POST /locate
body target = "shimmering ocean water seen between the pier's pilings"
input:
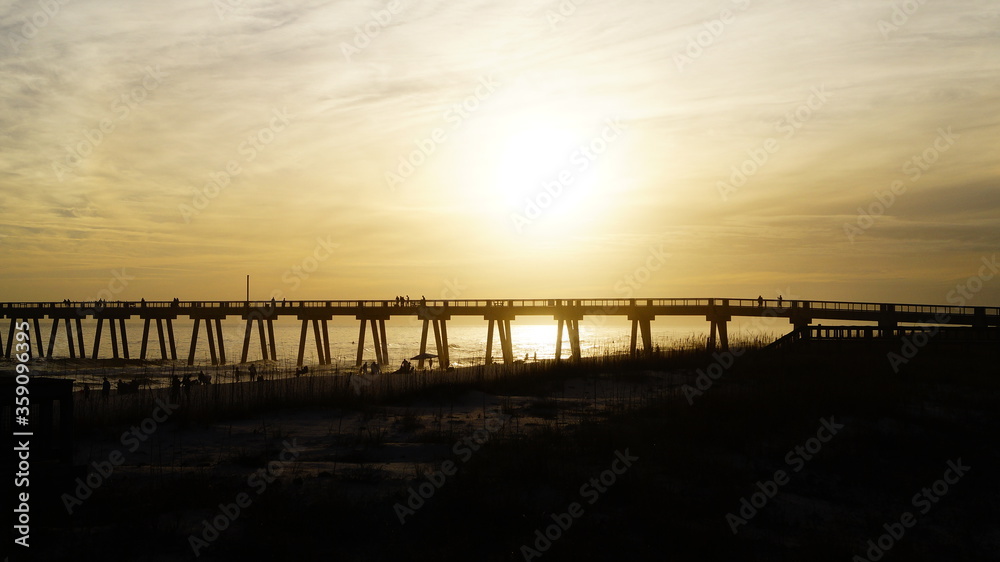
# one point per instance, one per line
(467, 342)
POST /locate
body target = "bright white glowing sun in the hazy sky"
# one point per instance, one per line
(533, 175)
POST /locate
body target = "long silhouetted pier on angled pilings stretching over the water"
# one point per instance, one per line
(885, 319)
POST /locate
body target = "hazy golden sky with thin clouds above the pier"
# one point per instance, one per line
(500, 149)
